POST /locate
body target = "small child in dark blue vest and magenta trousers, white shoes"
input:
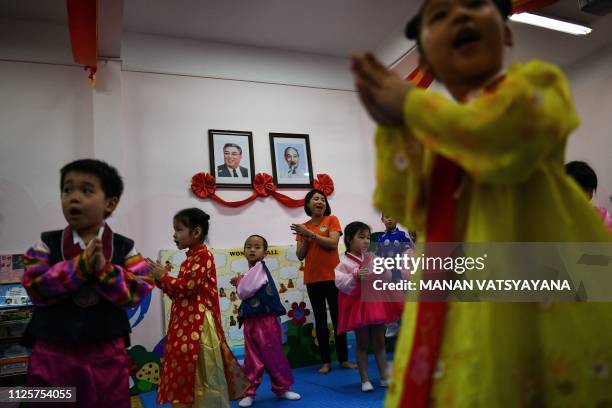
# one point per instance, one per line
(259, 311)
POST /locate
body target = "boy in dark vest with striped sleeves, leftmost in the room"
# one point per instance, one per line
(80, 280)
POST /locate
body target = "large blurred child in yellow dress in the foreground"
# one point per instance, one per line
(486, 167)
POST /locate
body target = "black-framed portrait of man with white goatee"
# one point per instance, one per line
(291, 160)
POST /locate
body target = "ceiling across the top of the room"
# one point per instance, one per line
(327, 27)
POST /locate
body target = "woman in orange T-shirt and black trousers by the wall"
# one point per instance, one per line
(317, 244)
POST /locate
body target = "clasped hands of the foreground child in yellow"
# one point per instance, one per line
(381, 91)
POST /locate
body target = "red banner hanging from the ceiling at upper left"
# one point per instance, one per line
(83, 26)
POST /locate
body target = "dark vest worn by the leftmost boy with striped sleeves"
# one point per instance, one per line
(66, 321)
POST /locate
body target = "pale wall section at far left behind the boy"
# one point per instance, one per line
(45, 111)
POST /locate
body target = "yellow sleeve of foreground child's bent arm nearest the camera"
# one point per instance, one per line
(502, 136)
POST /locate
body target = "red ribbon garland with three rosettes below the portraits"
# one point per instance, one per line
(203, 185)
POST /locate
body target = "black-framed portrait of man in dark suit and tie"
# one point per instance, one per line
(231, 158)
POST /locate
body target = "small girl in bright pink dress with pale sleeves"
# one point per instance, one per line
(367, 319)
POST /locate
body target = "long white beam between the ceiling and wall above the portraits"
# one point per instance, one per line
(154, 53)
